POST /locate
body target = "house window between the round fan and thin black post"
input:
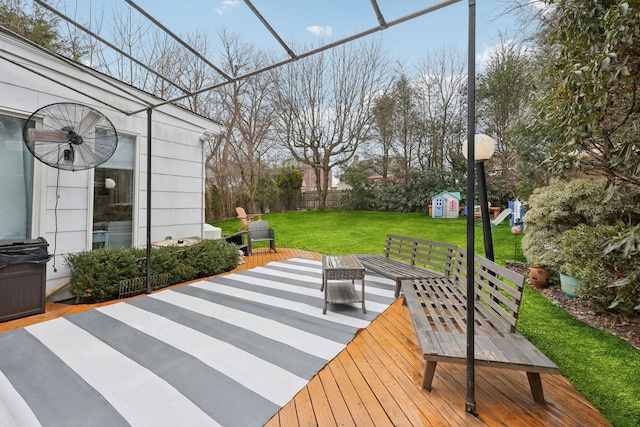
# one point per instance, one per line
(113, 197)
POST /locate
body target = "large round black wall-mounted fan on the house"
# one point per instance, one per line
(72, 137)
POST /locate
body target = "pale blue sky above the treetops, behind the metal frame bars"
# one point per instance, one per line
(309, 22)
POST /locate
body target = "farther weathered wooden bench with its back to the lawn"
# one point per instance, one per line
(407, 258)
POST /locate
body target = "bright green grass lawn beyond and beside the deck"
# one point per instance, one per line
(605, 369)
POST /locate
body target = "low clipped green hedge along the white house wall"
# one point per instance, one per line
(96, 275)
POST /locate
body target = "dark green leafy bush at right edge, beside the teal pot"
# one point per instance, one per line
(609, 278)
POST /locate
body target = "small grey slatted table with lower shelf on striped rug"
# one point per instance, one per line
(342, 271)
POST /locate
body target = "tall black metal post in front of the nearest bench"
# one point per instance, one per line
(470, 404)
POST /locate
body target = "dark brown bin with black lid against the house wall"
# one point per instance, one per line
(23, 277)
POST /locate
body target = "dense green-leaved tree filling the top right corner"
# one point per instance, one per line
(593, 100)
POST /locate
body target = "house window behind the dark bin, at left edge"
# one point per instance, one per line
(16, 180)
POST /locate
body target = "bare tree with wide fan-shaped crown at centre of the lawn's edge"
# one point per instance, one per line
(325, 106)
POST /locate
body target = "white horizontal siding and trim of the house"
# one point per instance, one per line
(177, 156)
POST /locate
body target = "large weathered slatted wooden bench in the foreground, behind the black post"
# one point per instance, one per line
(438, 309)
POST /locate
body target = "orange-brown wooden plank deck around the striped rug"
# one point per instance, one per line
(376, 381)
